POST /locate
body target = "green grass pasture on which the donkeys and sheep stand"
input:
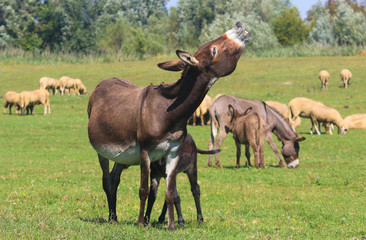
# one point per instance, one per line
(51, 182)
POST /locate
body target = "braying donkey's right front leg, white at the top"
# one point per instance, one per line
(171, 164)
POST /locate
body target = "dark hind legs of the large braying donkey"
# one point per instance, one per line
(110, 185)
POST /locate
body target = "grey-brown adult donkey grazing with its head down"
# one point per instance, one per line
(274, 123)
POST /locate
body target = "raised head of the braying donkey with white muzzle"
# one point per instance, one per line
(219, 56)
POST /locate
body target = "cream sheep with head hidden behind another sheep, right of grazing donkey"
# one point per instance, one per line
(300, 107)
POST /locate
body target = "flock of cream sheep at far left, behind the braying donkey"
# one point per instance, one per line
(25, 101)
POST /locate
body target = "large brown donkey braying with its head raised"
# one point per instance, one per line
(133, 125)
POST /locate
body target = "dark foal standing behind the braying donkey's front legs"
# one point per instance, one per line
(188, 164)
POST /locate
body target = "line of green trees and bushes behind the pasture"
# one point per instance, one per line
(139, 28)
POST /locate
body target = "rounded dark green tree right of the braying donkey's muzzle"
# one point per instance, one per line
(289, 28)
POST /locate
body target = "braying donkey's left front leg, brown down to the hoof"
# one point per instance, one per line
(144, 183)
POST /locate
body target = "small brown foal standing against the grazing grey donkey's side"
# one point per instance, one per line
(248, 129)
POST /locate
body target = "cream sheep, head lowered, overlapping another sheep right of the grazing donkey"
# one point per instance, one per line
(328, 115)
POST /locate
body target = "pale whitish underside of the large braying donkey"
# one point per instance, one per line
(130, 155)
